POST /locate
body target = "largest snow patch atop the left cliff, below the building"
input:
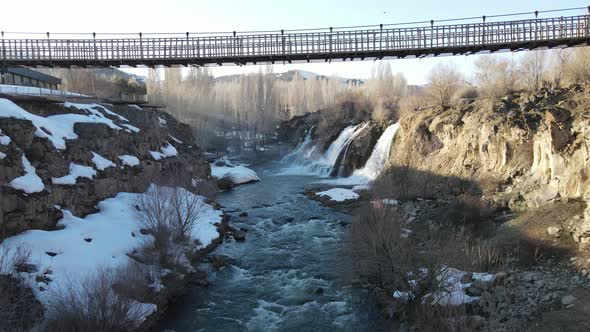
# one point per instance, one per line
(56, 128)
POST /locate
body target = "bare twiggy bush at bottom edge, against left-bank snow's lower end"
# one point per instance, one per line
(94, 305)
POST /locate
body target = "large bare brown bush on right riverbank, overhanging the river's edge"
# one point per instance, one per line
(385, 258)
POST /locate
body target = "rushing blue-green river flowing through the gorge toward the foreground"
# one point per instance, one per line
(292, 273)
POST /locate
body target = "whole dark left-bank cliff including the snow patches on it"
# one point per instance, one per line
(73, 155)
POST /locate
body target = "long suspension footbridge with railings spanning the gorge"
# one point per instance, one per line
(377, 42)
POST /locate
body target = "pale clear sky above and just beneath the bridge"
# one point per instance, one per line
(241, 15)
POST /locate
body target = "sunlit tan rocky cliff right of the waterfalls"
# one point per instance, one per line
(525, 151)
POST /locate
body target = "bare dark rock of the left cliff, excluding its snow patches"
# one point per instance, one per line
(20, 211)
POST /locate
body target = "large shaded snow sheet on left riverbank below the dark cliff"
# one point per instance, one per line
(113, 233)
